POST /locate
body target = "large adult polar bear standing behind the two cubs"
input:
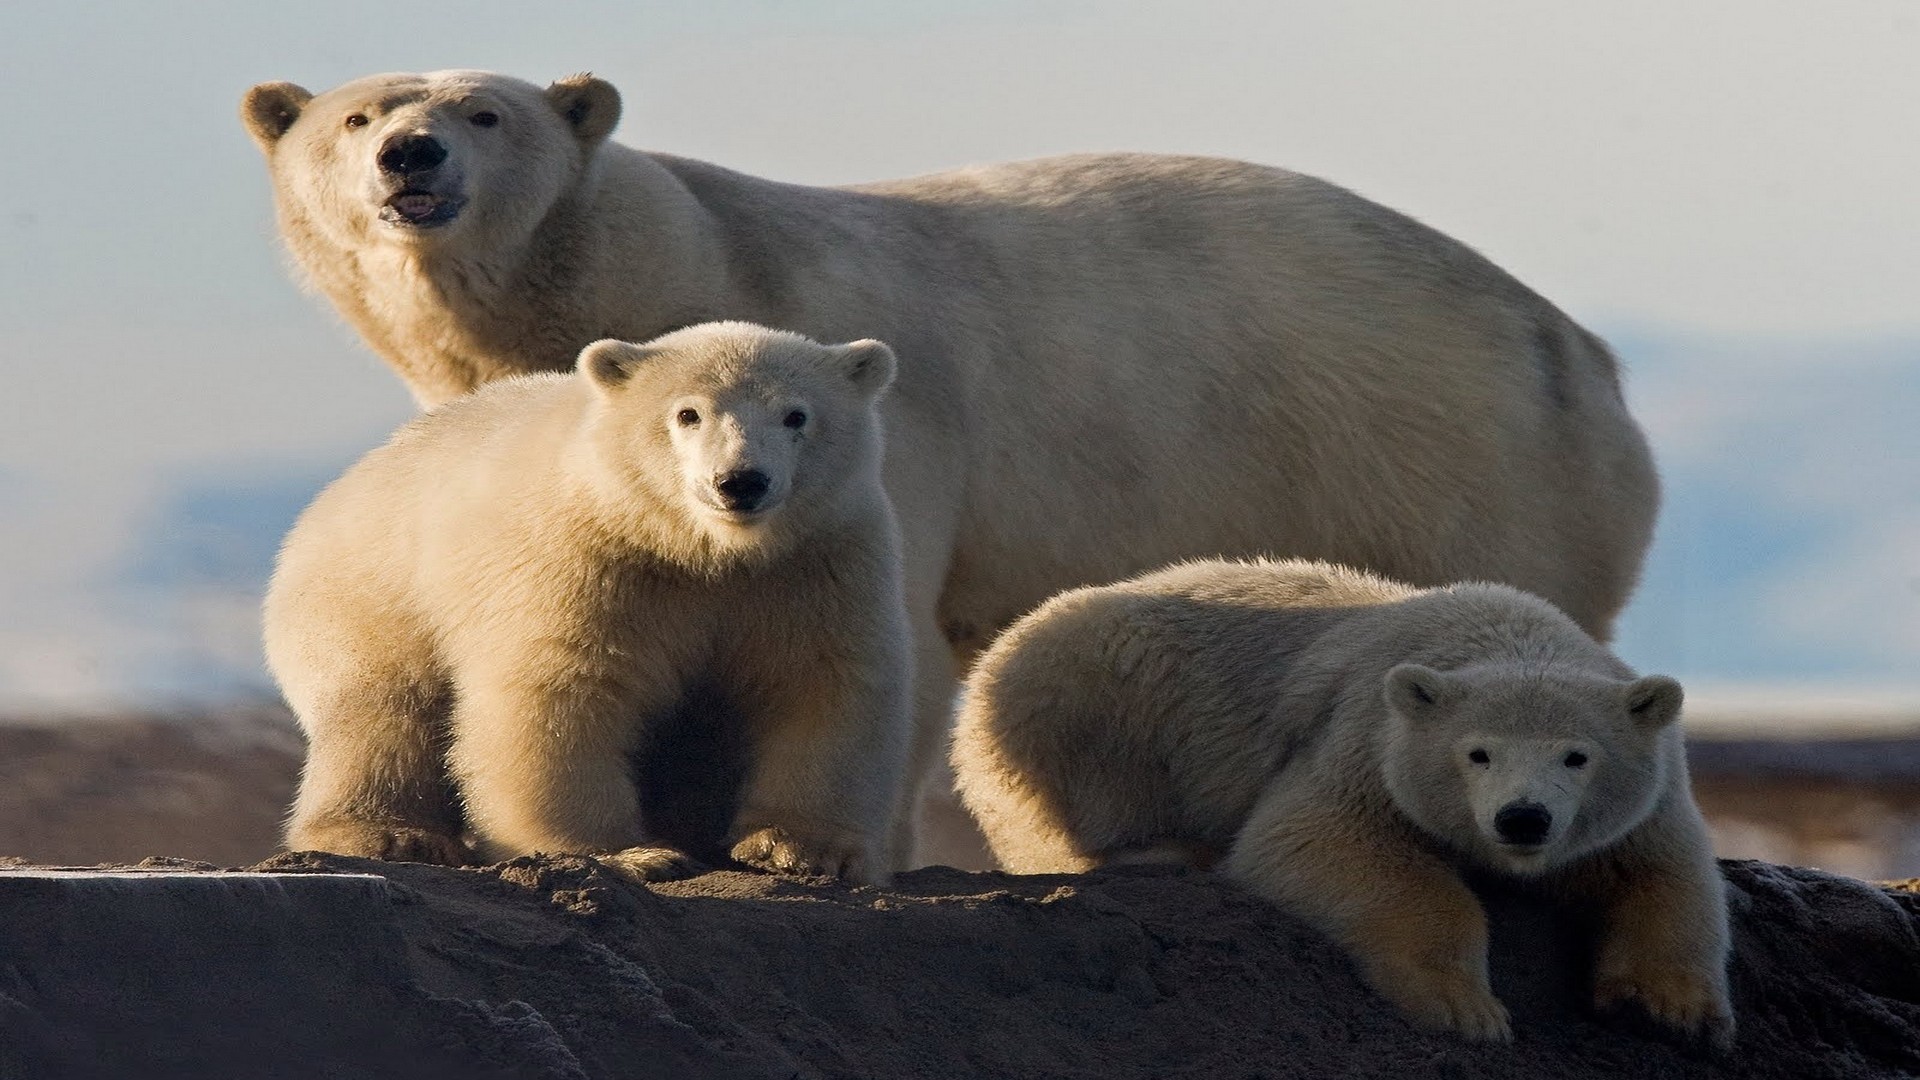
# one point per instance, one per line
(1107, 362)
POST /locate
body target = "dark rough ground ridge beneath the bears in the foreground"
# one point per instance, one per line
(556, 968)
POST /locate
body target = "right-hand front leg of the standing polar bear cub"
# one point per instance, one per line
(828, 712)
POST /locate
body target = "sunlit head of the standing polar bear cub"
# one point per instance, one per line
(742, 435)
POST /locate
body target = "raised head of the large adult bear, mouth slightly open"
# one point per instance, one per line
(425, 160)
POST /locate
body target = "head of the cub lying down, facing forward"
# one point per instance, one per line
(1525, 768)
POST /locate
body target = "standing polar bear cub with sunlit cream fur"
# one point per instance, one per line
(535, 593)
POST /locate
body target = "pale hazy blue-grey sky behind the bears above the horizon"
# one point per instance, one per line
(1723, 187)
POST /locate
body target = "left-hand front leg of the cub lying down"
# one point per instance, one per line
(1403, 914)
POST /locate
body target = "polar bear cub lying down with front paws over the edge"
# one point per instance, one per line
(1343, 745)
